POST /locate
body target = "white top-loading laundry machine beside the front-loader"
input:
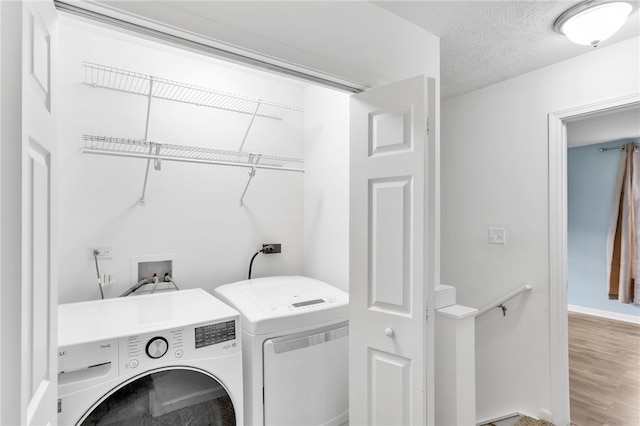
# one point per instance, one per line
(295, 350)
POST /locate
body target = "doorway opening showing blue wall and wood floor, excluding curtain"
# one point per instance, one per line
(601, 345)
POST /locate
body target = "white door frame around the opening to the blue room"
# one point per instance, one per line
(558, 256)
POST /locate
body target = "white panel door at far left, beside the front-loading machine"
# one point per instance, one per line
(28, 220)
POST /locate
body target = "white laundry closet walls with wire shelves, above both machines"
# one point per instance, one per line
(192, 205)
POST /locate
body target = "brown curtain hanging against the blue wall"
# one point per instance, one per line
(623, 242)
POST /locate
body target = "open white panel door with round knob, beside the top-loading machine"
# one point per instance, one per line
(392, 237)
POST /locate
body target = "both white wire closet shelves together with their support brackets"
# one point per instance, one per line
(151, 87)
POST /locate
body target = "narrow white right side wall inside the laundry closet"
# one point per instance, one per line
(326, 186)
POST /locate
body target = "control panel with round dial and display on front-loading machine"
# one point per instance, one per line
(141, 351)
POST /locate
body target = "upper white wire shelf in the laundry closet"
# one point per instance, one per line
(107, 77)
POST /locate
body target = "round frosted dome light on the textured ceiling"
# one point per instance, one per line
(593, 21)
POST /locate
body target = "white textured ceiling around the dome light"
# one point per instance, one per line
(484, 42)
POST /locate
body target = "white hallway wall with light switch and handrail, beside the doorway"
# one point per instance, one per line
(495, 173)
